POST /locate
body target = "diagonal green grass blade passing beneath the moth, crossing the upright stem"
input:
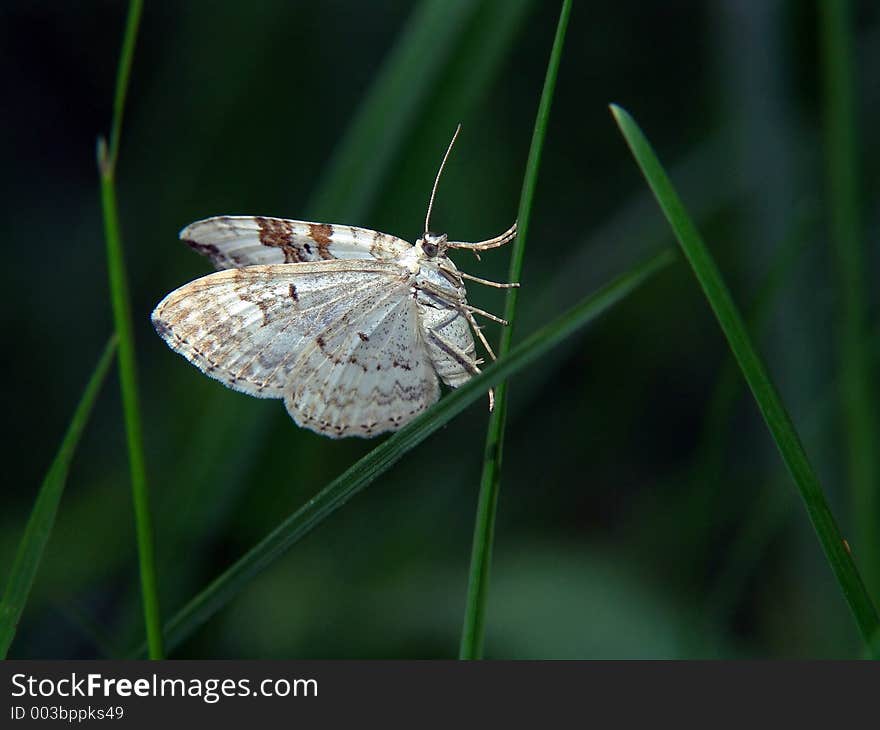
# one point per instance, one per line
(376, 462)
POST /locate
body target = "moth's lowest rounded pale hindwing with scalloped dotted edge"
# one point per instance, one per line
(367, 375)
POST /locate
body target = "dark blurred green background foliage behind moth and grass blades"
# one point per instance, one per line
(614, 539)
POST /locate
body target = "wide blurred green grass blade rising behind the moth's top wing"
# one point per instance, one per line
(354, 175)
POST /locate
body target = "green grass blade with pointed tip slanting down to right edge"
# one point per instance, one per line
(766, 396)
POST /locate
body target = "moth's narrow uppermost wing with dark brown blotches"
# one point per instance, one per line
(232, 242)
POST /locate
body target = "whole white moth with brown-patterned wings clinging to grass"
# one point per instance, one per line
(350, 327)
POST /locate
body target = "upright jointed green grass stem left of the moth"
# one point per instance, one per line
(120, 300)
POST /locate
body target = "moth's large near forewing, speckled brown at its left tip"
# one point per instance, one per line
(249, 327)
